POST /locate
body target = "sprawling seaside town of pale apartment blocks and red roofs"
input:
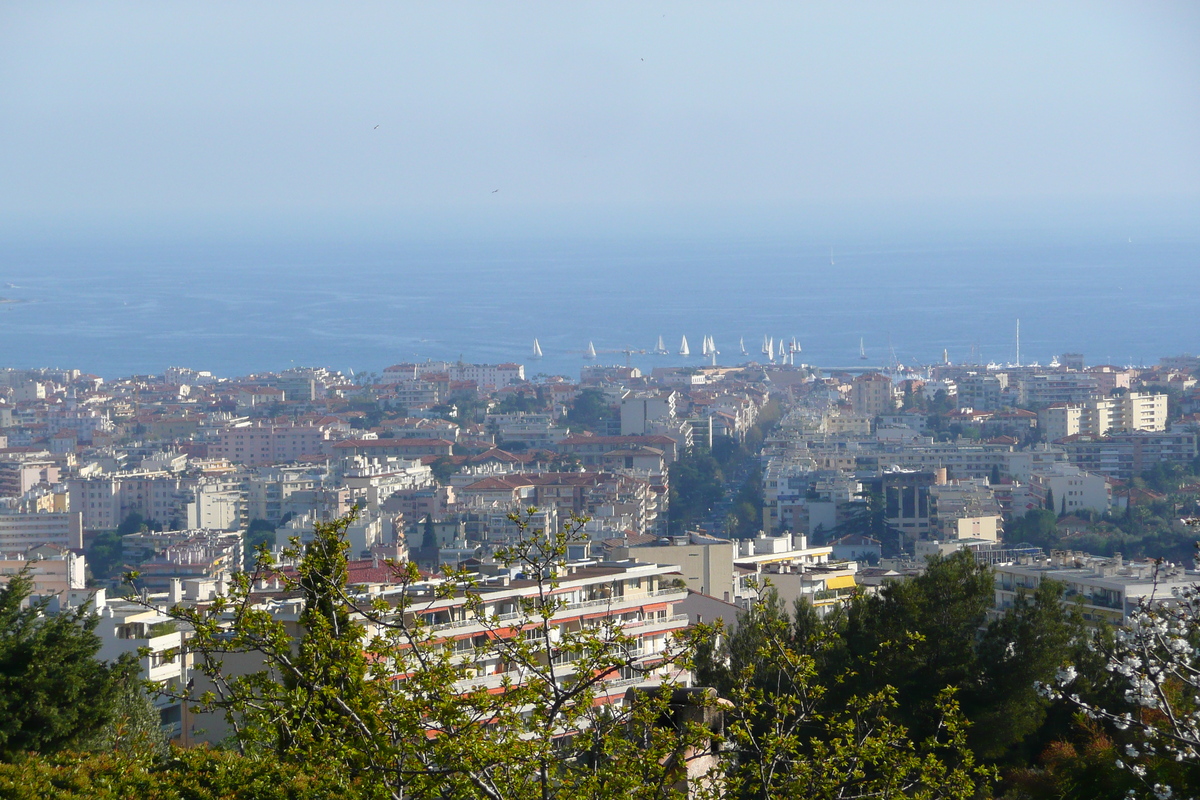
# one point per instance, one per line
(687, 489)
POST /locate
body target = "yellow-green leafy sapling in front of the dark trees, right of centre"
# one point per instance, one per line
(785, 739)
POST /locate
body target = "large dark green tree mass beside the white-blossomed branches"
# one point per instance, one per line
(927, 659)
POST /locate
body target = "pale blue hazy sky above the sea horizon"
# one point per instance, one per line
(163, 112)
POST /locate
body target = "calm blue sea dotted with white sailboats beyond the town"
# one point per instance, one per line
(237, 308)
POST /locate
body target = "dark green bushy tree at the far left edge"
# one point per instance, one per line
(55, 694)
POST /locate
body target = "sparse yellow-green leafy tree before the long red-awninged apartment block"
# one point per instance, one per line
(333, 695)
